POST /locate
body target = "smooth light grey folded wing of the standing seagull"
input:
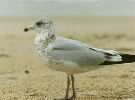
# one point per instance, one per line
(78, 52)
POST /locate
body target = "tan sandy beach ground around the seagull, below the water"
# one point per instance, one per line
(24, 77)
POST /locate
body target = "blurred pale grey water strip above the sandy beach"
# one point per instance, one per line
(64, 8)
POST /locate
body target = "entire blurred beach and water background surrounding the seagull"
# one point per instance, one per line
(106, 24)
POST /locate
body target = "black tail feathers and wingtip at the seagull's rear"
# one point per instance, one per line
(126, 58)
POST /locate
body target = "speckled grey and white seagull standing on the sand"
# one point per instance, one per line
(71, 56)
